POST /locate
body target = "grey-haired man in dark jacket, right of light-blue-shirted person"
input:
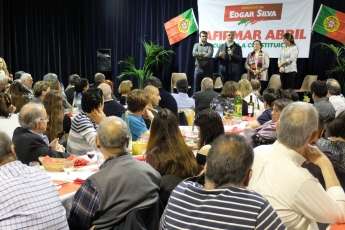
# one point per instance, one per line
(204, 97)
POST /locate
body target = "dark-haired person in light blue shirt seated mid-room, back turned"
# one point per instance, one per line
(182, 99)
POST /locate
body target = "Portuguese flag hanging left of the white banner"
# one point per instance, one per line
(181, 26)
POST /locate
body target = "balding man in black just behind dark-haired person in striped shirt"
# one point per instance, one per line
(111, 106)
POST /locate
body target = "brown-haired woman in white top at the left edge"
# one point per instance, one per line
(8, 119)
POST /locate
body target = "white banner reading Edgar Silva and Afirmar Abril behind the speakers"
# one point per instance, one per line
(264, 20)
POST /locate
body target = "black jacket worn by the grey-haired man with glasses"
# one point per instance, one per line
(29, 146)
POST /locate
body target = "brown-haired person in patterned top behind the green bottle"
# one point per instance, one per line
(225, 101)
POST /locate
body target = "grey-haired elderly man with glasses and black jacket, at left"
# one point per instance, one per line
(29, 140)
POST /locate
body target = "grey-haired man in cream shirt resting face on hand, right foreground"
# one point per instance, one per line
(297, 196)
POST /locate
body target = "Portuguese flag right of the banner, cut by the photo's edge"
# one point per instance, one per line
(331, 23)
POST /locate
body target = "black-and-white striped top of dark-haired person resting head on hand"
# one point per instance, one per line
(82, 136)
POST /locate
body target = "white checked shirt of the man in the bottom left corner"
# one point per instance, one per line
(28, 199)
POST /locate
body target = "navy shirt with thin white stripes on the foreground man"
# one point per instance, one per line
(192, 207)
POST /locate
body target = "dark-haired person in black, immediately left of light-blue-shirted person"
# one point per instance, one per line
(167, 100)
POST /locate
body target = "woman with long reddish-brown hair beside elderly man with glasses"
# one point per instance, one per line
(53, 103)
